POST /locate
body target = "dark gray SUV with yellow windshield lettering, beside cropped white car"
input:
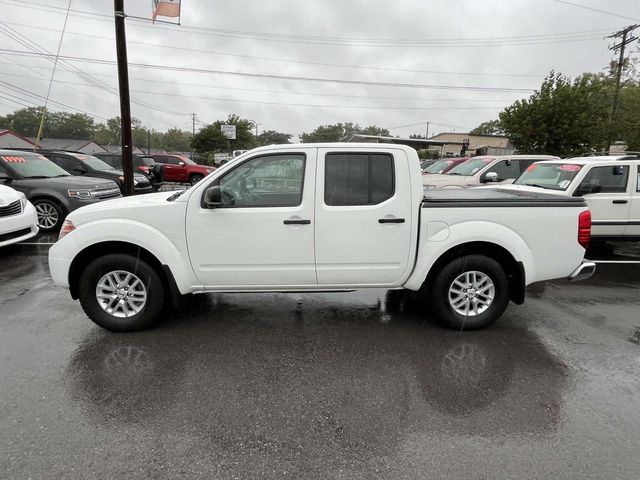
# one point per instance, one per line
(52, 190)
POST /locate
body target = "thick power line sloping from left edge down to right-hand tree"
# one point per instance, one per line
(285, 77)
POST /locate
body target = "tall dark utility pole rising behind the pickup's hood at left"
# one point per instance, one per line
(125, 104)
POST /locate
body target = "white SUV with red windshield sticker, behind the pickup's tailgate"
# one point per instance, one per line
(609, 184)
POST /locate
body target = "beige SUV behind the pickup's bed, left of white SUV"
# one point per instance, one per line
(483, 170)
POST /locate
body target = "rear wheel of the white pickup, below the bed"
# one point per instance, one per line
(470, 293)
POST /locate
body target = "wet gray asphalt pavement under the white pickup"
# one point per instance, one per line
(353, 385)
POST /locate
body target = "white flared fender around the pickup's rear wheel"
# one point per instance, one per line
(436, 238)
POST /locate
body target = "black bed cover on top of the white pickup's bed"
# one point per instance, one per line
(491, 197)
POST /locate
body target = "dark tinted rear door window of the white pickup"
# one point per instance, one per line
(358, 178)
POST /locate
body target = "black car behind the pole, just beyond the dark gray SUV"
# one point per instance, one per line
(81, 164)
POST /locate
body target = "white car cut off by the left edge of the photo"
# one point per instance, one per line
(18, 219)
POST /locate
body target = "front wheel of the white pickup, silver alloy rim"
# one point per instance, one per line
(121, 293)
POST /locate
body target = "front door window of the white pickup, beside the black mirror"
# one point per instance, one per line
(267, 181)
